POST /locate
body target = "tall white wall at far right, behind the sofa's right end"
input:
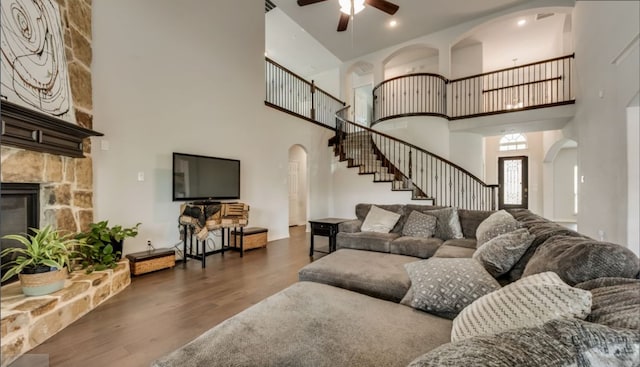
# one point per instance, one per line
(607, 78)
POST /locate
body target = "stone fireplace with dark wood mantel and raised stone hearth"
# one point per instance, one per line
(54, 156)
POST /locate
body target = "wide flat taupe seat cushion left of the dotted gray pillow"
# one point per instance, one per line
(371, 273)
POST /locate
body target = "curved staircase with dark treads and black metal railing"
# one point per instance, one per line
(409, 168)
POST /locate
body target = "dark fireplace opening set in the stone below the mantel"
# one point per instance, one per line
(19, 211)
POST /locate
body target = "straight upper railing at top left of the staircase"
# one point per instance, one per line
(291, 93)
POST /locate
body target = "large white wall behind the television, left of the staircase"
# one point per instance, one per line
(169, 77)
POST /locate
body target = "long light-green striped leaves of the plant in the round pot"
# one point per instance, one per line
(45, 250)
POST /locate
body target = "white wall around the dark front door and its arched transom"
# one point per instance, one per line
(535, 157)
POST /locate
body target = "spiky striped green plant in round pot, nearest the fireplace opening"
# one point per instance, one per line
(42, 263)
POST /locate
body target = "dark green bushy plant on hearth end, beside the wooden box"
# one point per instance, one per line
(104, 245)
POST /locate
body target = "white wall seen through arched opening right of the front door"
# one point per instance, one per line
(563, 197)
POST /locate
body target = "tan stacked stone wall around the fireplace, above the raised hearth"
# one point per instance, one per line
(66, 199)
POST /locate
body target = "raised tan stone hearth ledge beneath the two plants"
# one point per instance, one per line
(26, 322)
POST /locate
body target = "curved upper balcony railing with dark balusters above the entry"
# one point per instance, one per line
(541, 84)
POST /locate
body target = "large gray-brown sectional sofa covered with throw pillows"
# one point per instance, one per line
(362, 305)
